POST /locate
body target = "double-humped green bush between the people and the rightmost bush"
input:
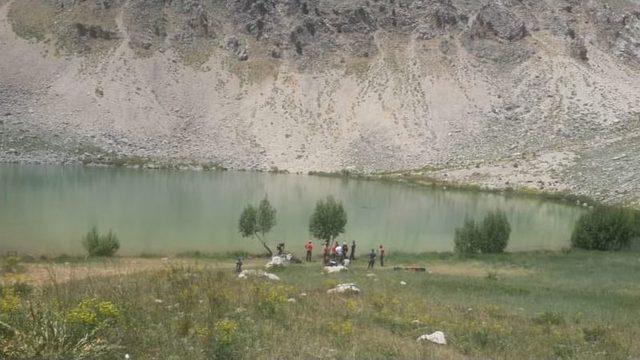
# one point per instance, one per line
(488, 237)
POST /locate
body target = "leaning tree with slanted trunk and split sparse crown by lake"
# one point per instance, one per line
(257, 222)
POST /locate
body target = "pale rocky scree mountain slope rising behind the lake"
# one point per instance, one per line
(540, 94)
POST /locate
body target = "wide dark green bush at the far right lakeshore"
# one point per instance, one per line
(604, 228)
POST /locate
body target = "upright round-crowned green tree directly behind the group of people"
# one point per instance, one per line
(328, 219)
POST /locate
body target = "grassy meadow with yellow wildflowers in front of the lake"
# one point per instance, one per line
(547, 305)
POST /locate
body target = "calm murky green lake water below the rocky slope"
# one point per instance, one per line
(47, 209)
